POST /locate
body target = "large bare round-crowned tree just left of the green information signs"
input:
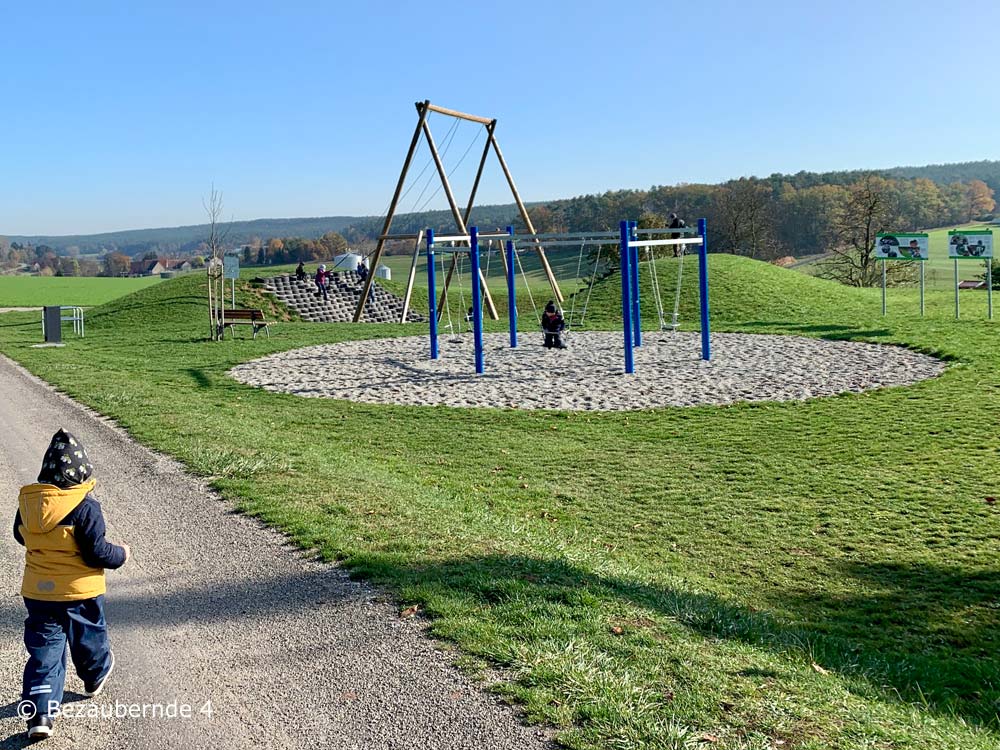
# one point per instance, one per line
(867, 210)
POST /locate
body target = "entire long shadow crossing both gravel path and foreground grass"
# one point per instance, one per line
(916, 640)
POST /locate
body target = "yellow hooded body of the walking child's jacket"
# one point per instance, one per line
(54, 568)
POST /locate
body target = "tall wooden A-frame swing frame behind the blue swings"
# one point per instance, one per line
(424, 108)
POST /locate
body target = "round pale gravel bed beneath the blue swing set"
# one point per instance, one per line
(589, 374)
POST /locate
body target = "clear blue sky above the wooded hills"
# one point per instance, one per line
(122, 115)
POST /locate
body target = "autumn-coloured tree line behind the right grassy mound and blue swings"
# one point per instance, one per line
(770, 218)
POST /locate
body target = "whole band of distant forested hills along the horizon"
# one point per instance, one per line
(793, 214)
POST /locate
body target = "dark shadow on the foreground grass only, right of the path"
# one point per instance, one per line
(916, 640)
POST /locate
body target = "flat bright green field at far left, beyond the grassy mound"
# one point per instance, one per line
(37, 291)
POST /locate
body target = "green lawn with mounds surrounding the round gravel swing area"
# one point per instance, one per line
(805, 575)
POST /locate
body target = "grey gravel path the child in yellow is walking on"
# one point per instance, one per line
(215, 607)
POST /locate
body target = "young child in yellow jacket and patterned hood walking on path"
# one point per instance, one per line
(62, 529)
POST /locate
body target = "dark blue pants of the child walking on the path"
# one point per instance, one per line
(50, 629)
